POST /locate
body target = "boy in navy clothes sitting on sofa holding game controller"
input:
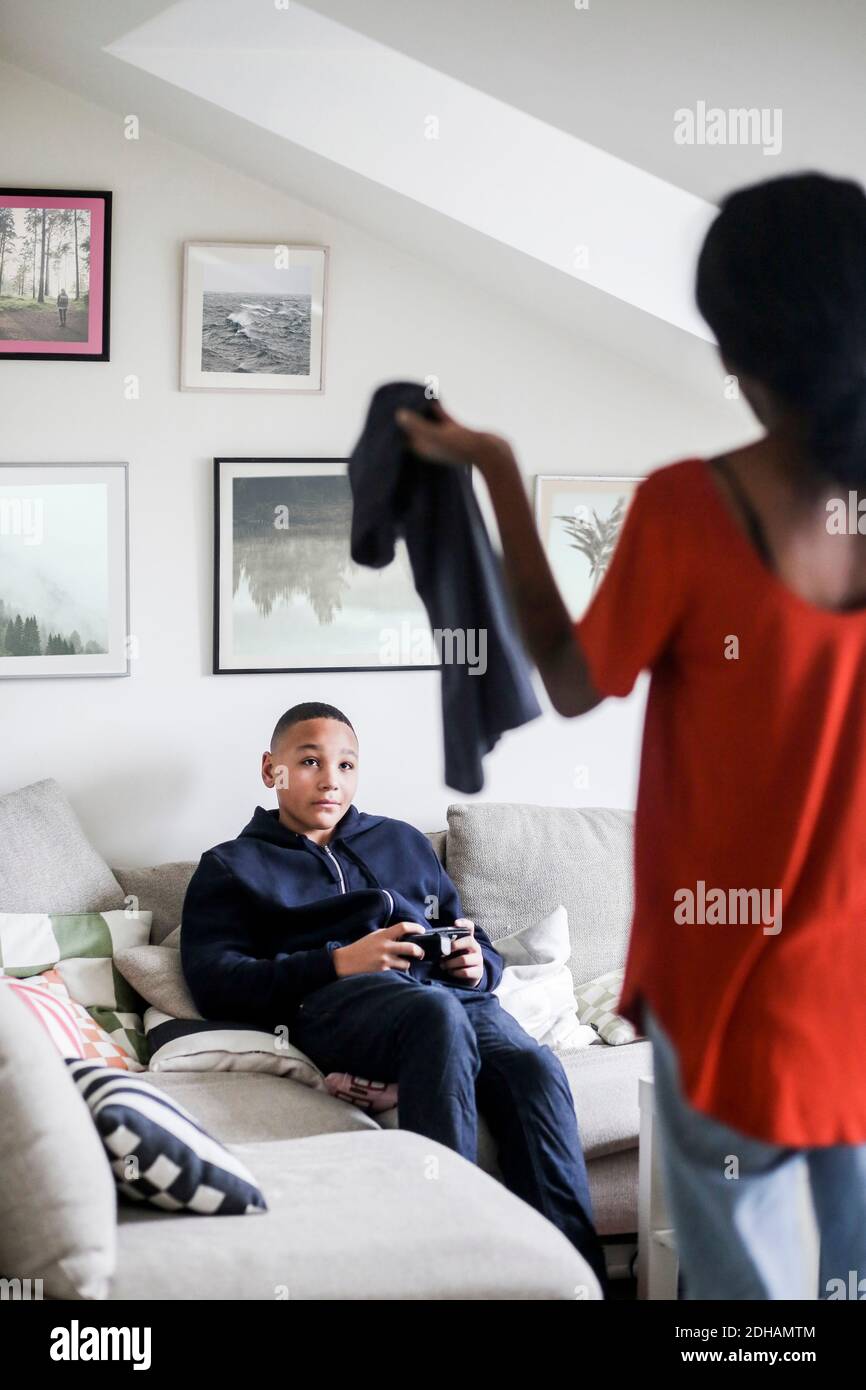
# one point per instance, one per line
(311, 919)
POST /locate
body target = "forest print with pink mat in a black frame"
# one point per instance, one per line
(55, 275)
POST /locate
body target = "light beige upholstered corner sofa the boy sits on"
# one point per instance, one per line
(358, 1209)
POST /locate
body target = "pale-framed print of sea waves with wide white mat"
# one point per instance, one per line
(254, 318)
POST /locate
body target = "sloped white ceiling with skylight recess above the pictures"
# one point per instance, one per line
(526, 144)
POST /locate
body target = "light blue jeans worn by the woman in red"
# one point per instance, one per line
(739, 1238)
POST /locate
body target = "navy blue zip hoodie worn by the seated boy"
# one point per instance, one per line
(263, 913)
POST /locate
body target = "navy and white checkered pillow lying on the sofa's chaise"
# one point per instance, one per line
(158, 1150)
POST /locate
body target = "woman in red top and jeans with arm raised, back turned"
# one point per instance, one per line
(740, 584)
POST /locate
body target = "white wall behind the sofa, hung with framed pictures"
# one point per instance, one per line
(166, 764)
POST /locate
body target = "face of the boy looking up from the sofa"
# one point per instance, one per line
(313, 771)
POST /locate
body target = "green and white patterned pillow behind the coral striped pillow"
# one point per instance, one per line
(81, 949)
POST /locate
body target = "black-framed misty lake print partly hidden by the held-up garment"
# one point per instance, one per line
(288, 597)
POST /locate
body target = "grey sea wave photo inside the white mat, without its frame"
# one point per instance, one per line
(261, 333)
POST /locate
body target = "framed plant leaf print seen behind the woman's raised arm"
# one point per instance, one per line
(579, 522)
